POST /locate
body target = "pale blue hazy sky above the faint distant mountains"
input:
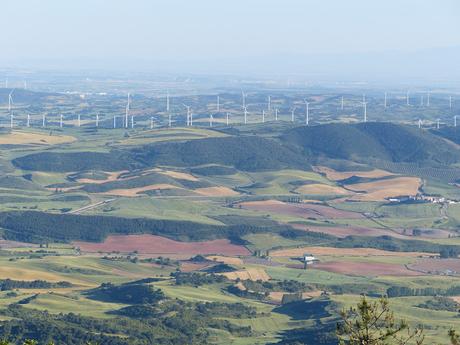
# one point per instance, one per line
(116, 30)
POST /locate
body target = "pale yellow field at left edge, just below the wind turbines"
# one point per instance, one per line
(24, 138)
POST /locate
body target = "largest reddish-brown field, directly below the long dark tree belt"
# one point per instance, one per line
(157, 245)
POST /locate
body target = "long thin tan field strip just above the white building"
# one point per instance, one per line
(331, 251)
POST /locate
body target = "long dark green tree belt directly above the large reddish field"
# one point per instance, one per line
(40, 227)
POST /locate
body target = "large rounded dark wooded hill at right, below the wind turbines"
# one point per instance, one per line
(373, 140)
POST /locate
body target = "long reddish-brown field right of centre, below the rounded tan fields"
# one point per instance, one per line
(300, 210)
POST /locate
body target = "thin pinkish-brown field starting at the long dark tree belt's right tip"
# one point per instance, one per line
(344, 231)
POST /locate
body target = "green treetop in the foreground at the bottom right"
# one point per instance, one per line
(373, 323)
